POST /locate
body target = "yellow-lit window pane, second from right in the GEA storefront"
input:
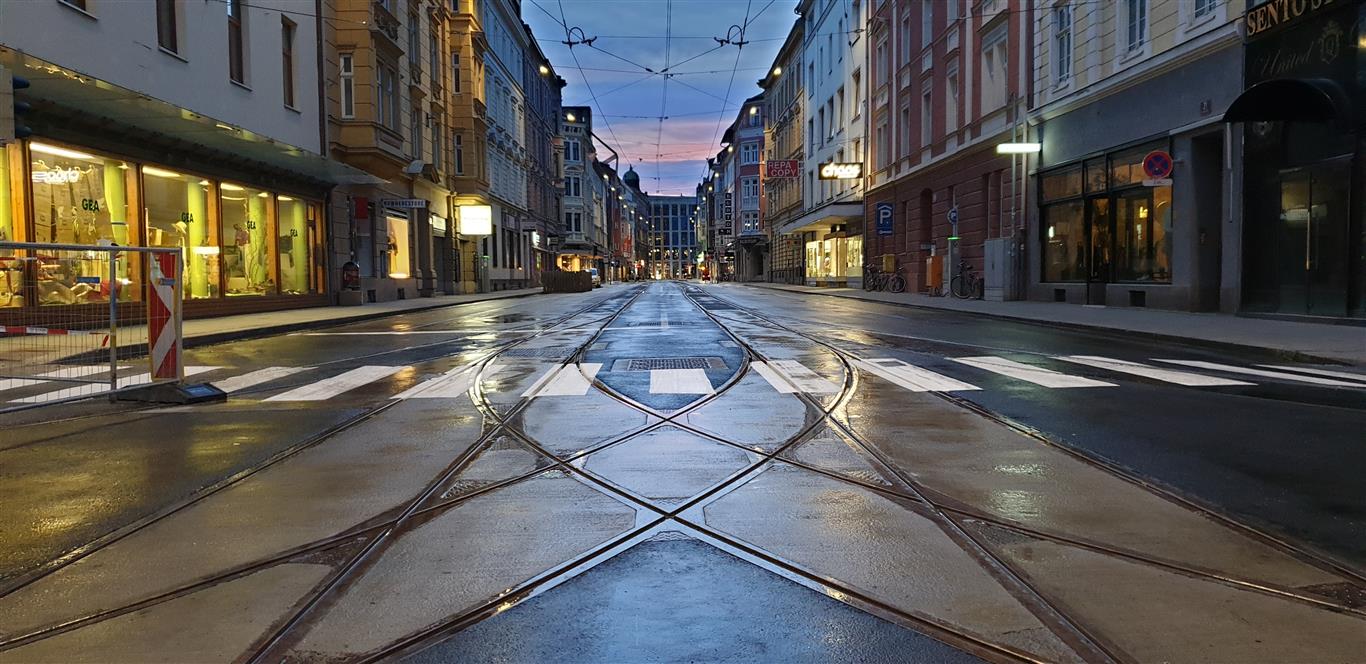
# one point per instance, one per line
(248, 247)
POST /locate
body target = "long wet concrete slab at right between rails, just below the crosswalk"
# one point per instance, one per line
(987, 467)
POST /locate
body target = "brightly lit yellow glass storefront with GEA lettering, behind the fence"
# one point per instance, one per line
(236, 240)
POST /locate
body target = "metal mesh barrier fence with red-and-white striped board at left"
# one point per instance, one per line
(79, 322)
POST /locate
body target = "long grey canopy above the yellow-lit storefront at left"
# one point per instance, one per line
(79, 95)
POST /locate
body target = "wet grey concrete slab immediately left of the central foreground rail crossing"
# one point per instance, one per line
(462, 558)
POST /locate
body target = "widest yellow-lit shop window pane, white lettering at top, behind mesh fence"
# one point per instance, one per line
(80, 199)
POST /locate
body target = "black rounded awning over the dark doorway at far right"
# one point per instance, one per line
(1292, 99)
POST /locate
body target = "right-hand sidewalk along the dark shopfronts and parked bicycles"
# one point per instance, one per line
(1298, 341)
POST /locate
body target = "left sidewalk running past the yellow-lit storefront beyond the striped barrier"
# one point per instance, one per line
(226, 329)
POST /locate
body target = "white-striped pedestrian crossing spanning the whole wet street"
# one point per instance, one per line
(785, 376)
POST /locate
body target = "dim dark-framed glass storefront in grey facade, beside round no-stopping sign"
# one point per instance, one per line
(1102, 225)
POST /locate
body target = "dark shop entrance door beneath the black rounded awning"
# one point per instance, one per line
(1315, 245)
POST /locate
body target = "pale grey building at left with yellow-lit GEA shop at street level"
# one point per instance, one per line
(169, 125)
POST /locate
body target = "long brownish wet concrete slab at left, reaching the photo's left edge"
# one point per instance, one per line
(327, 490)
